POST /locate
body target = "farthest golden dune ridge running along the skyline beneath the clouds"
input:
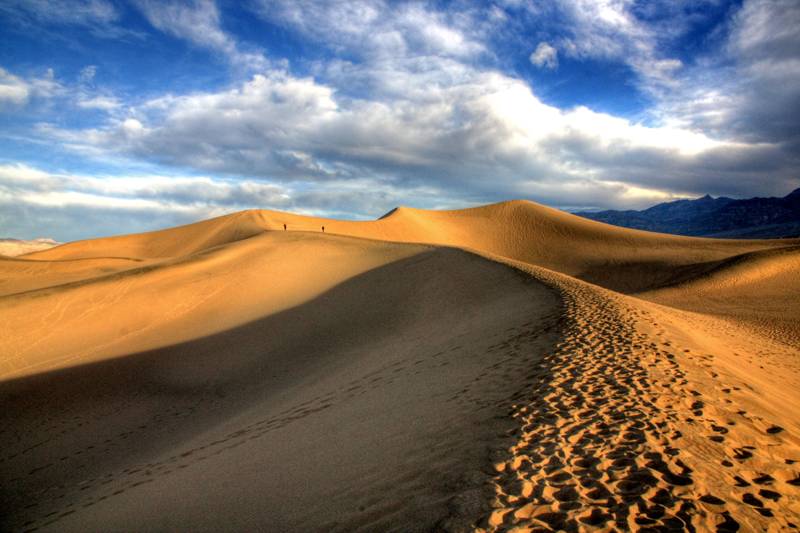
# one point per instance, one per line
(618, 258)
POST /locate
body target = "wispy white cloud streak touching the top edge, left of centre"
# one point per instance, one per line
(199, 23)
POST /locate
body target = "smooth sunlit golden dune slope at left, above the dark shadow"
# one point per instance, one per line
(175, 300)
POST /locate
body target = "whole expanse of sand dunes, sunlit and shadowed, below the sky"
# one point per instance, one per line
(502, 368)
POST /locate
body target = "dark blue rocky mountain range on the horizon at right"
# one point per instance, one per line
(714, 217)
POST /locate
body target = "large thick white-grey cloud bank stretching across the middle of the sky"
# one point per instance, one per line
(484, 136)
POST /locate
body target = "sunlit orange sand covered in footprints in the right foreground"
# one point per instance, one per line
(643, 417)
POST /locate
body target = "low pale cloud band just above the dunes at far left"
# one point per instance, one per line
(68, 205)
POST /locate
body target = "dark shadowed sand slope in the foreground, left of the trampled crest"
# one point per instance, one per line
(370, 406)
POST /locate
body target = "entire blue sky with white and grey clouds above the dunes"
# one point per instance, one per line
(125, 116)
